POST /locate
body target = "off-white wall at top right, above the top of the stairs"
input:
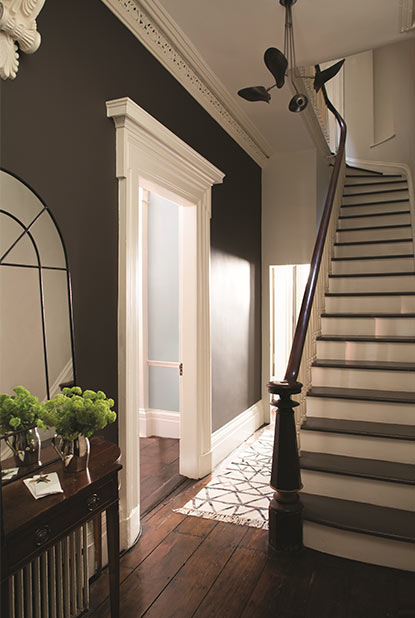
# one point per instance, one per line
(380, 103)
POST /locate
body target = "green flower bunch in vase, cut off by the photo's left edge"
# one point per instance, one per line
(19, 411)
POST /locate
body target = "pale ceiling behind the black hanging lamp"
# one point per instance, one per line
(231, 37)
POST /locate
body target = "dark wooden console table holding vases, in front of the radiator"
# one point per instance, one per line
(32, 526)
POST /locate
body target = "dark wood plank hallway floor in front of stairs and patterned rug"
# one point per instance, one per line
(187, 566)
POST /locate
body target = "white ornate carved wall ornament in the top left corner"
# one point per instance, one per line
(18, 30)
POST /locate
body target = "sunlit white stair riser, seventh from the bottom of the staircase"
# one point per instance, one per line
(385, 327)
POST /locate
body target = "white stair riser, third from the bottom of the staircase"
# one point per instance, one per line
(366, 447)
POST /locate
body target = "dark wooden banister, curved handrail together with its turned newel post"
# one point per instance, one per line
(285, 510)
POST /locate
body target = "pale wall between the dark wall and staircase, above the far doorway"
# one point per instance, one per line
(294, 185)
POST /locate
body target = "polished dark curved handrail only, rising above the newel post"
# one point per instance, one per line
(296, 354)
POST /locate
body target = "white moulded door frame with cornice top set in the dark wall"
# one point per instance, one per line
(147, 150)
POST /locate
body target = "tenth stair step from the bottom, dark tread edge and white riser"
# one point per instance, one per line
(379, 264)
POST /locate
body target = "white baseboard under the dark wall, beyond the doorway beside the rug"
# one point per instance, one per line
(231, 435)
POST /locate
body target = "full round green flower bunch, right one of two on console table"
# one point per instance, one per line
(74, 412)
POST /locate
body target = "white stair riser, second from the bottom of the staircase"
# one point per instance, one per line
(357, 489)
